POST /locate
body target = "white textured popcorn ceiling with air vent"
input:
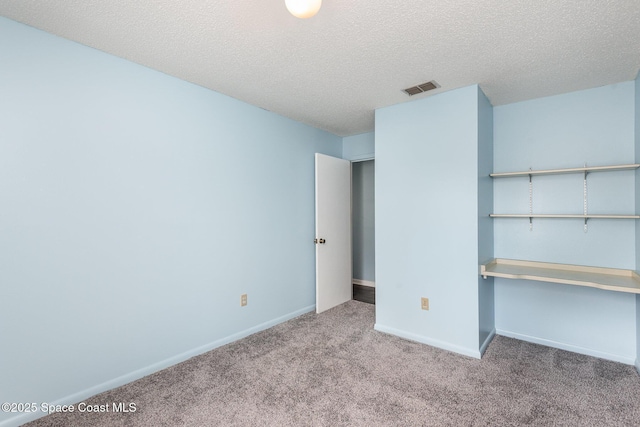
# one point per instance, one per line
(333, 70)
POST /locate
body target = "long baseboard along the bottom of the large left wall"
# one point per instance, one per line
(155, 367)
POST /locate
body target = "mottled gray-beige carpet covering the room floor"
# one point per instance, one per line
(333, 369)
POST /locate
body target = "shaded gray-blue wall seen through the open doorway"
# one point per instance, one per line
(363, 223)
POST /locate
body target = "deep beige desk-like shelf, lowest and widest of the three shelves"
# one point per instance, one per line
(610, 279)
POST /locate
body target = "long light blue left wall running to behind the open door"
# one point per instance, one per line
(136, 209)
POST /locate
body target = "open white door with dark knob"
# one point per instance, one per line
(333, 232)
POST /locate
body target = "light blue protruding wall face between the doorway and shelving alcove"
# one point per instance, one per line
(427, 220)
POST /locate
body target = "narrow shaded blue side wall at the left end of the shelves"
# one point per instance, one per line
(485, 223)
